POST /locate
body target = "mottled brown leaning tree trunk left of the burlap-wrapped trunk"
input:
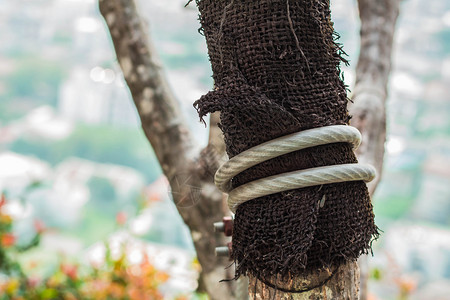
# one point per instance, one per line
(189, 169)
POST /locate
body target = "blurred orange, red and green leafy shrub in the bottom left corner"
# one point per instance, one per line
(115, 278)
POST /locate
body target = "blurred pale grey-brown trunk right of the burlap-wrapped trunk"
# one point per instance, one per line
(378, 19)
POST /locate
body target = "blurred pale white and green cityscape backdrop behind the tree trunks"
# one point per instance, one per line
(82, 188)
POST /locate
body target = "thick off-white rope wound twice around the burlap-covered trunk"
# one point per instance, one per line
(291, 180)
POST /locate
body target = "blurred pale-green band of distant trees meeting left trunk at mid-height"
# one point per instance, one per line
(103, 144)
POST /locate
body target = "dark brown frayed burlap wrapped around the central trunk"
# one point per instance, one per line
(276, 70)
